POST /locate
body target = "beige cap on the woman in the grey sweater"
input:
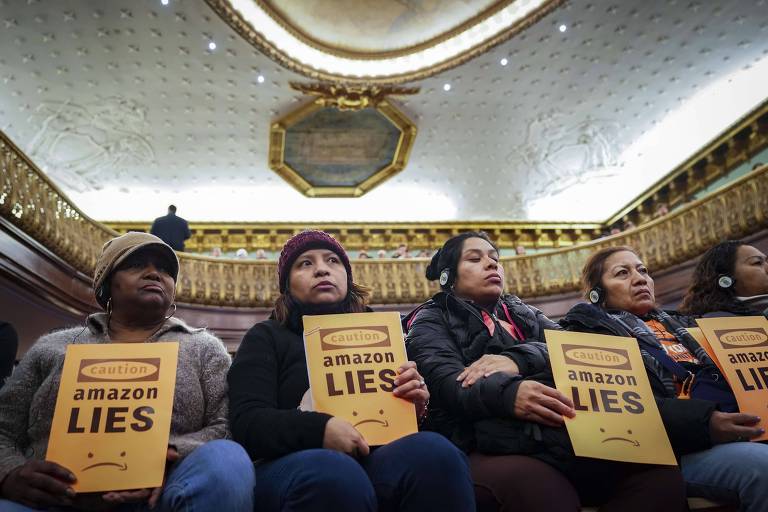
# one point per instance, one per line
(118, 249)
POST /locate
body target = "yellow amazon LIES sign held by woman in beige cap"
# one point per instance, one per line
(113, 414)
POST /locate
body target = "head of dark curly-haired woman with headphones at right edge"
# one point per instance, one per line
(731, 279)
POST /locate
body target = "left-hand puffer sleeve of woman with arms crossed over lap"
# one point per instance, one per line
(440, 361)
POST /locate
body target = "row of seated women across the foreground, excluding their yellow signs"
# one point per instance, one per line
(492, 433)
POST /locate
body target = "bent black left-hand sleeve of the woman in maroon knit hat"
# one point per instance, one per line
(256, 421)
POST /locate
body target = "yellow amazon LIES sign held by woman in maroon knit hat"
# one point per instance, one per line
(352, 361)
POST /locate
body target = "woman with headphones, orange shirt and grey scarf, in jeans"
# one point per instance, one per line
(715, 460)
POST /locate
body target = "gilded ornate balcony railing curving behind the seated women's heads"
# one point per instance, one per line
(32, 203)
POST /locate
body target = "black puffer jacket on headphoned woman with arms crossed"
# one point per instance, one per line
(447, 334)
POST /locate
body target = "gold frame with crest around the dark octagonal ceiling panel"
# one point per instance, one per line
(350, 98)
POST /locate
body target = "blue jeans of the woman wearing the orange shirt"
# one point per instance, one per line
(731, 473)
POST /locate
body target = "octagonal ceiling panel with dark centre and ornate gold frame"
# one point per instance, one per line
(344, 143)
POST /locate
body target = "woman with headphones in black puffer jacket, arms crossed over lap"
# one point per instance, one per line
(483, 356)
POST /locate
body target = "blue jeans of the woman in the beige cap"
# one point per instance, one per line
(216, 476)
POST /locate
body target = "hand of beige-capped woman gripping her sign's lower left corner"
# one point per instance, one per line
(39, 484)
